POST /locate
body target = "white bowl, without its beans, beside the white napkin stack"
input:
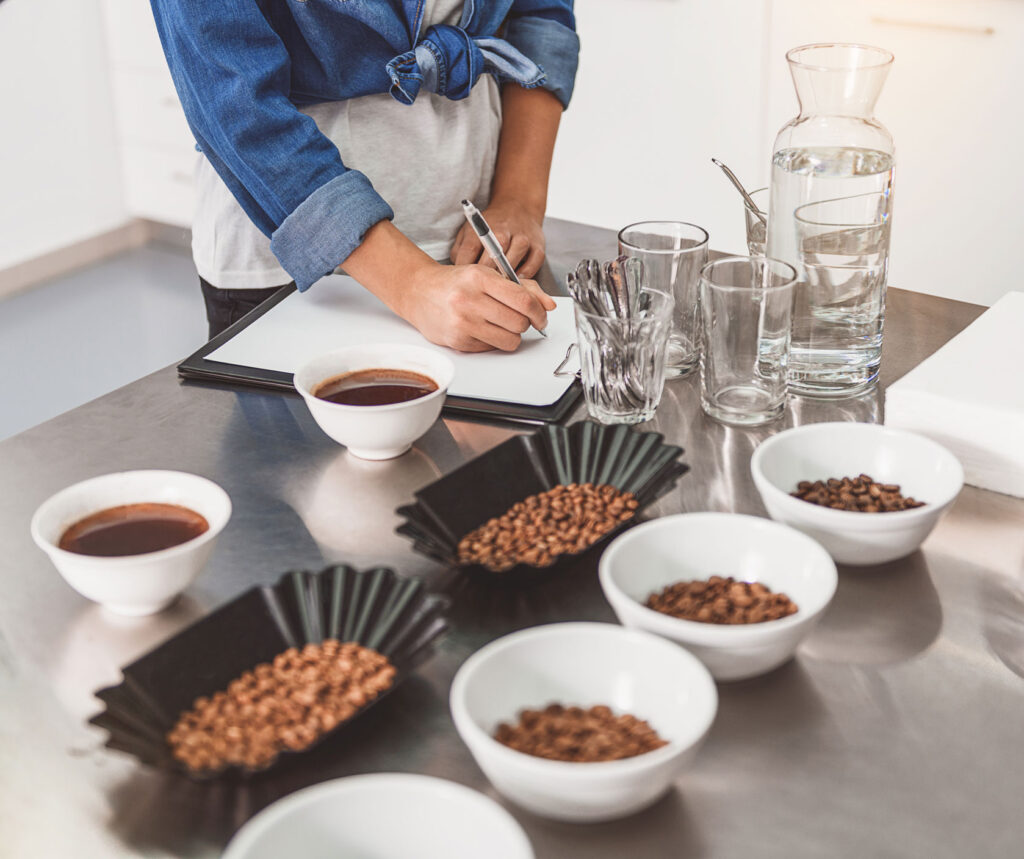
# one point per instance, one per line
(922, 468)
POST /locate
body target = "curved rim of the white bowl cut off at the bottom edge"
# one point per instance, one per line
(254, 829)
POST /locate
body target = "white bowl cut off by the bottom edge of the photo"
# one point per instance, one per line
(382, 817)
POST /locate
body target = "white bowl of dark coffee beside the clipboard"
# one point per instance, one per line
(376, 400)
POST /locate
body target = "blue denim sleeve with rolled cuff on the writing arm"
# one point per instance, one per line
(233, 75)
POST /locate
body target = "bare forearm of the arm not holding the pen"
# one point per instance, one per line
(530, 125)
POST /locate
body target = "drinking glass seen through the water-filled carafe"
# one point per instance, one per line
(840, 306)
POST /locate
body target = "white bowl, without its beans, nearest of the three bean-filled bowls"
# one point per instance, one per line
(583, 665)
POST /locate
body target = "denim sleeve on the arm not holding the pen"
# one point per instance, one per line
(545, 32)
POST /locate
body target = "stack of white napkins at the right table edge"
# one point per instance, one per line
(970, 398)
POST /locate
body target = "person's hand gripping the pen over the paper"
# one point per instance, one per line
(474, 309)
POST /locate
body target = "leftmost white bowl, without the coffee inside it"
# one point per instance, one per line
(133, 584)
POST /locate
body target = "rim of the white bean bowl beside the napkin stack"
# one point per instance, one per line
(892, 520)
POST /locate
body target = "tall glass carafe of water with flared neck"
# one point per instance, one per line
(834, 150)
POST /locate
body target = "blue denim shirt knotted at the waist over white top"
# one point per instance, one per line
(241, 67)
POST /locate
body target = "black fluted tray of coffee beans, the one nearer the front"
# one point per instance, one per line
(274, 672)
